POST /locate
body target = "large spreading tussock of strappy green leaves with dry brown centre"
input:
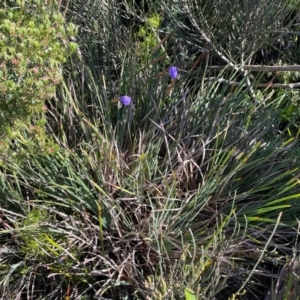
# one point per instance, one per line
(154, 190)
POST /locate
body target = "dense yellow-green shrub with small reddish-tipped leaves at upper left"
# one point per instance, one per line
(34, 44)
